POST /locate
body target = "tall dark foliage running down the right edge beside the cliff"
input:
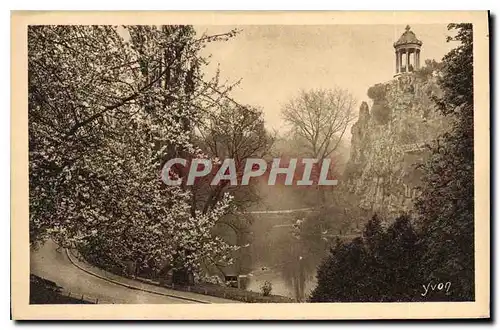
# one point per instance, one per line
(447, 202)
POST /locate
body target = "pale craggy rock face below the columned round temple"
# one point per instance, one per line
(389, 141)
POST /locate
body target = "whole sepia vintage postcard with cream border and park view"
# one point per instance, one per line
(250, 165)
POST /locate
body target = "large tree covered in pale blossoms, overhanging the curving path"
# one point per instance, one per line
(107, 106)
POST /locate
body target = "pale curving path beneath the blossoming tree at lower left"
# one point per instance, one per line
(78, 279)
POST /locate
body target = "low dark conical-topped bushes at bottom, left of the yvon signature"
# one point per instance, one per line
(379, 266)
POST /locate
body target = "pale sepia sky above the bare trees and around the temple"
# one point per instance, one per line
(274, 62)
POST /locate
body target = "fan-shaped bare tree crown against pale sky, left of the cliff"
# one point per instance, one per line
(319, 118)
